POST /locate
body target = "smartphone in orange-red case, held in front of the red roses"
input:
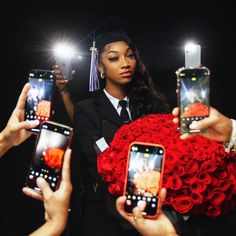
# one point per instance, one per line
(144, 177)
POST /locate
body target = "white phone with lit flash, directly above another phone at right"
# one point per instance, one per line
(192, 54)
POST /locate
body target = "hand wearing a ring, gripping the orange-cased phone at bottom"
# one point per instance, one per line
(160, 226)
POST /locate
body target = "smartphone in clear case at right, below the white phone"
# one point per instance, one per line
(193, 96)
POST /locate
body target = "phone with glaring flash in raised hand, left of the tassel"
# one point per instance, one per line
(66, 67)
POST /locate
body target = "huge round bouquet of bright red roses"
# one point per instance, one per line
(199, 175)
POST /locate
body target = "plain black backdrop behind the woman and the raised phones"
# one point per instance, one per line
(28, 32)
